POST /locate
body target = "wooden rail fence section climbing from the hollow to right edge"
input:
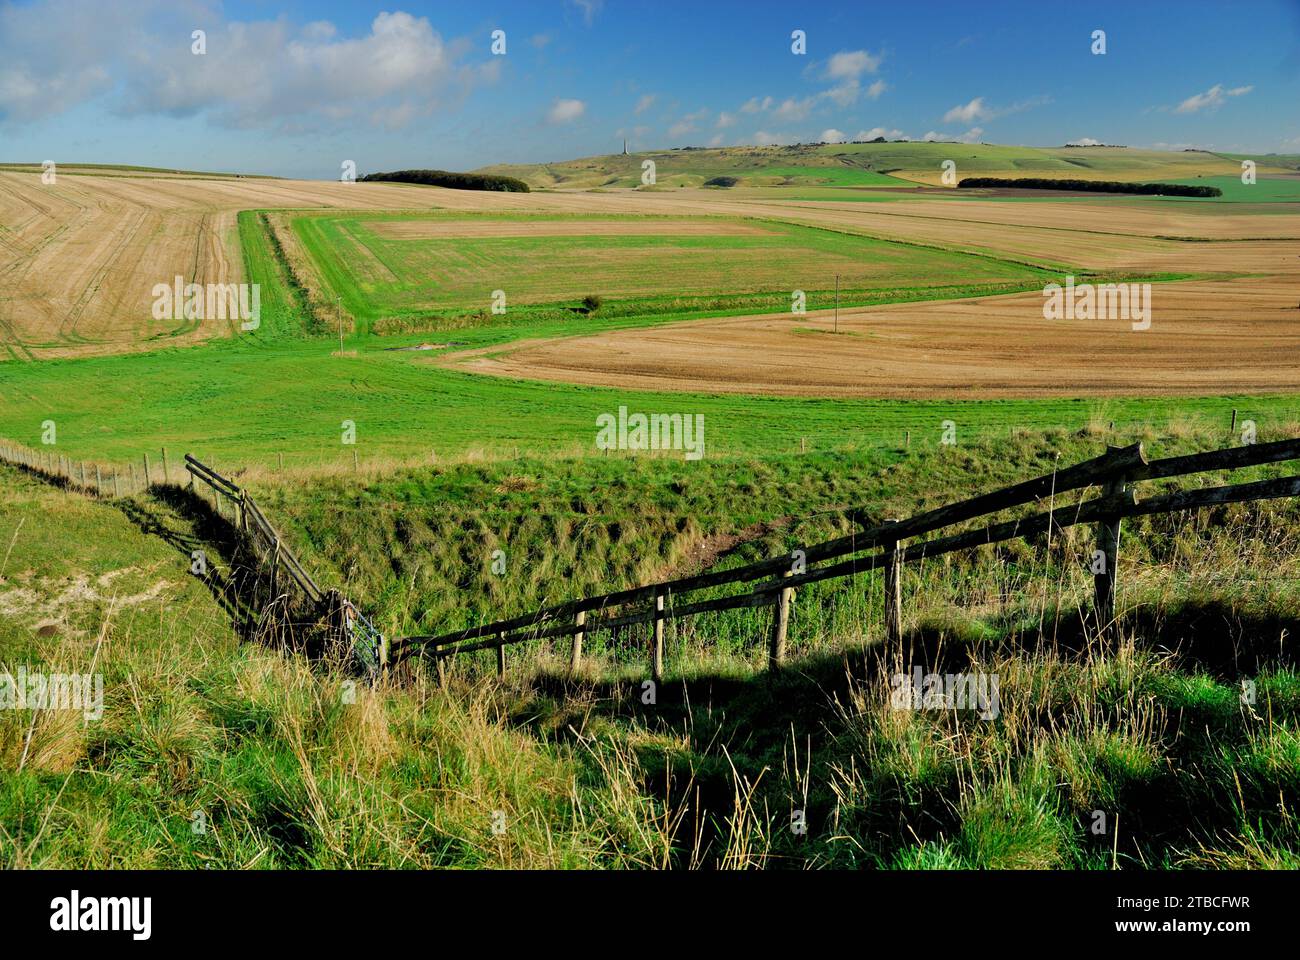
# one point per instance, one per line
(895, 543)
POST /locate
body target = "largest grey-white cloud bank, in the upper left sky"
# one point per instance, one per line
(58, 54)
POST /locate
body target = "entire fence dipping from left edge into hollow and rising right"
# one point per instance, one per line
(896, 543)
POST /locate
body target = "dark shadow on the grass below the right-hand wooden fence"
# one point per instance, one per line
(705, 736)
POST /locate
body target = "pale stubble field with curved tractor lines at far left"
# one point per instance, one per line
(80, 257)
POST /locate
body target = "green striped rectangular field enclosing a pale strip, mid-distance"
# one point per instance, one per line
(391, 278)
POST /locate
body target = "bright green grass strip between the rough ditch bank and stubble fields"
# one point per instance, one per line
(245, 404)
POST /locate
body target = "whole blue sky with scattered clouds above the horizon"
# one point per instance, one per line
(294, 89)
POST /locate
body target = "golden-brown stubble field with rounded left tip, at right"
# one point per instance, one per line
(1234, 336)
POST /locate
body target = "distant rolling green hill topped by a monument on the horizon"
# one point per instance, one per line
(898, 165)
